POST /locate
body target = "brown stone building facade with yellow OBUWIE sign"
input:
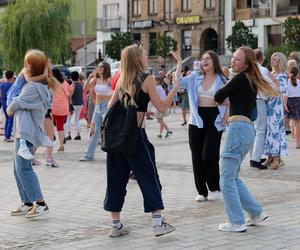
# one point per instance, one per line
(196, 25)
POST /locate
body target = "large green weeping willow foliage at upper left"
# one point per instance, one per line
(39, 24)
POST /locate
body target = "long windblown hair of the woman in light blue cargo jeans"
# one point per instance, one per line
(253, 74)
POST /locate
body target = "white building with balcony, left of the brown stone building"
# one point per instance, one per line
(112, 16)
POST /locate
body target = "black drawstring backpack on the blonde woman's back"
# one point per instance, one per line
(119, 130)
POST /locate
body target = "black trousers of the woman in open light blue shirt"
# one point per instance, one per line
(205, 148)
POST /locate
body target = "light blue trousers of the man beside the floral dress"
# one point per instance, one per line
(260, 126)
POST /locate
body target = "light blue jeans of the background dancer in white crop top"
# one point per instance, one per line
(98, 116)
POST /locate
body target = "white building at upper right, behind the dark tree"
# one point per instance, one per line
(264, 17)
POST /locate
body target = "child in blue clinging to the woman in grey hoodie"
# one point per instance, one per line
(14, 91)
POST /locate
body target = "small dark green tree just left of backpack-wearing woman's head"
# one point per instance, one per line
(119, 41)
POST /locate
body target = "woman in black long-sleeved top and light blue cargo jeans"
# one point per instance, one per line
(241, 92)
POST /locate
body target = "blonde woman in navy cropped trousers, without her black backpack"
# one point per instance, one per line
(142, 89)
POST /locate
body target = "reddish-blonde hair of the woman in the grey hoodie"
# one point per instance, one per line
(39, 62)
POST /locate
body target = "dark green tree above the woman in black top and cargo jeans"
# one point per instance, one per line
(241, 35)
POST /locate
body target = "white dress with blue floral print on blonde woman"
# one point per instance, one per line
(276, 143)
